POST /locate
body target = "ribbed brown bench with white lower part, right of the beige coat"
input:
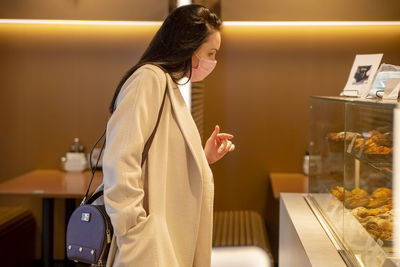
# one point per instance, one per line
(240, 239)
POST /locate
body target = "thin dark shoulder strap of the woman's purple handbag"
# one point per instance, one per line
(144, 153)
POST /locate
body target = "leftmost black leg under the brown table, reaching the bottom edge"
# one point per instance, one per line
(47, 231)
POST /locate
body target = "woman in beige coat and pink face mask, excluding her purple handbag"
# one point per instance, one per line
(162, 211)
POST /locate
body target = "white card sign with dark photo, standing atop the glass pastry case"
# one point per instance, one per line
(361, 75)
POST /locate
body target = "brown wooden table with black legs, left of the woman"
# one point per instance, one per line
(48, 185)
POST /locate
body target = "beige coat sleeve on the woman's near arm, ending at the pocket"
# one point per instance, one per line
(128, 129)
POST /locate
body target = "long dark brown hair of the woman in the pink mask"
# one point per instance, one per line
(182, 32)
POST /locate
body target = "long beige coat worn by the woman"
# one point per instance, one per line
(177, 230)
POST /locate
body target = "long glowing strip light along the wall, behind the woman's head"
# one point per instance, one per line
(226, 23)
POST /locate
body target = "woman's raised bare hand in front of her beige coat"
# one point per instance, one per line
(218, 145)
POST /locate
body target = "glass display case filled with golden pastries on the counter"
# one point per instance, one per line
(351, 177)
